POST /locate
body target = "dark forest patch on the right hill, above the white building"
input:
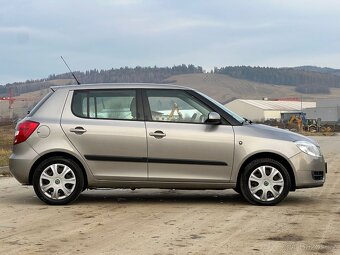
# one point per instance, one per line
(306, 79)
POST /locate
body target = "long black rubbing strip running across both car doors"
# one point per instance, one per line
(156, 160)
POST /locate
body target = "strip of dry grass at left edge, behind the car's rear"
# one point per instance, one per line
(6, 141)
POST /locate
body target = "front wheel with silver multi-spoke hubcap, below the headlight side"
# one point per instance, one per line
(265, 182)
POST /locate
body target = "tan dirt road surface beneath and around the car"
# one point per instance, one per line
(174, 222)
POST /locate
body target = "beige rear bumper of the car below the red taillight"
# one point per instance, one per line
(21, 160)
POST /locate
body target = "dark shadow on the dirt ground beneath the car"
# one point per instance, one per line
(153, 196)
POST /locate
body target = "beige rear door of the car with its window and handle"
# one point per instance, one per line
(108, 130)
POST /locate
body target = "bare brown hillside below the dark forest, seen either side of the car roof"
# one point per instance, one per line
(221, 87)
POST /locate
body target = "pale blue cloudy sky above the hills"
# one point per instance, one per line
(112, 33)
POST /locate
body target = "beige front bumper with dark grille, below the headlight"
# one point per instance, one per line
(309, 171)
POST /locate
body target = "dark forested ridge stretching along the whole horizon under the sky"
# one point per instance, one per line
(304, 79)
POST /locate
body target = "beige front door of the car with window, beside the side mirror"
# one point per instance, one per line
(181, 146)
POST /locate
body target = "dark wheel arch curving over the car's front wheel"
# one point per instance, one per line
(274, 156)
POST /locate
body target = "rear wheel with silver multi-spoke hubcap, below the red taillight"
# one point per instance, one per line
(58, 181)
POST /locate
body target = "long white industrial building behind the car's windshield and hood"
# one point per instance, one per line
(261, 110)
